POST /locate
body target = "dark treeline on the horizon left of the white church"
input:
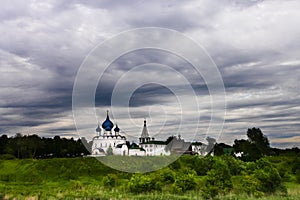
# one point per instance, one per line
(33, 146)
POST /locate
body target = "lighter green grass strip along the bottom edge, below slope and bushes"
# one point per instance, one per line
(80, 190)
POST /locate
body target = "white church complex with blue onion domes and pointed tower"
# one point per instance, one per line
(109, 141)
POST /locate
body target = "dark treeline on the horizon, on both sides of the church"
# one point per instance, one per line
(253, 148)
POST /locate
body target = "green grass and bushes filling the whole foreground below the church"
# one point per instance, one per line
(190, 177)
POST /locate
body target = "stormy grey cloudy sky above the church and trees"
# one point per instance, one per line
(255, 44)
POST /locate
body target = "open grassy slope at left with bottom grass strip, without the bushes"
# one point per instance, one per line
(78, 178)
